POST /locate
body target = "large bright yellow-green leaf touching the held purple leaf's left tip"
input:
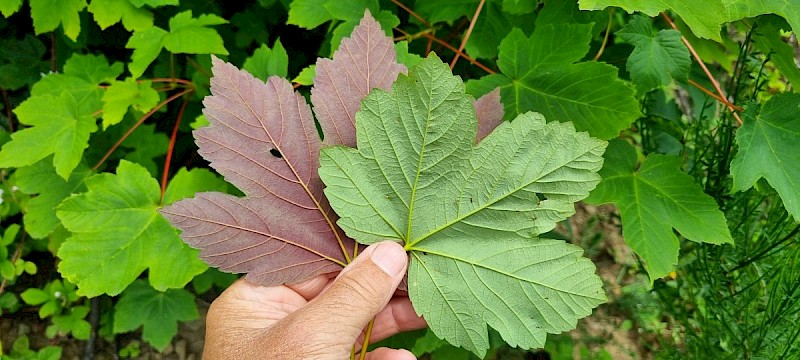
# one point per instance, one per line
(117, 234)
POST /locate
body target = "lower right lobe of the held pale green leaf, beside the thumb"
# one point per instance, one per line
(523, 288)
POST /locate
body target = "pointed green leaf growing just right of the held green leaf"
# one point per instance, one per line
(653, 198)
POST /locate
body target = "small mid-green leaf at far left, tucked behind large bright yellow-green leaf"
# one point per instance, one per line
(41, 178)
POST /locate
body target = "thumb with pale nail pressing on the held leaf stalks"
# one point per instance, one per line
(360, 291)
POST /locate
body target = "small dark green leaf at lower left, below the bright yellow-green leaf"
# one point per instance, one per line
(158, 313)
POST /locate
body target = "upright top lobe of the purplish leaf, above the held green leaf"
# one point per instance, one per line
(365, 61)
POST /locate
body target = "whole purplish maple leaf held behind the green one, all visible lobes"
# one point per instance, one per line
(262, 138)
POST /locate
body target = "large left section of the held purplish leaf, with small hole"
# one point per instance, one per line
(263, 140)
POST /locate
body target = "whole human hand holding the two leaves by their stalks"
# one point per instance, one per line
(320, 319)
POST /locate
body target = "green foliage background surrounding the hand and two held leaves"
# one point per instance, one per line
(99, 99)
